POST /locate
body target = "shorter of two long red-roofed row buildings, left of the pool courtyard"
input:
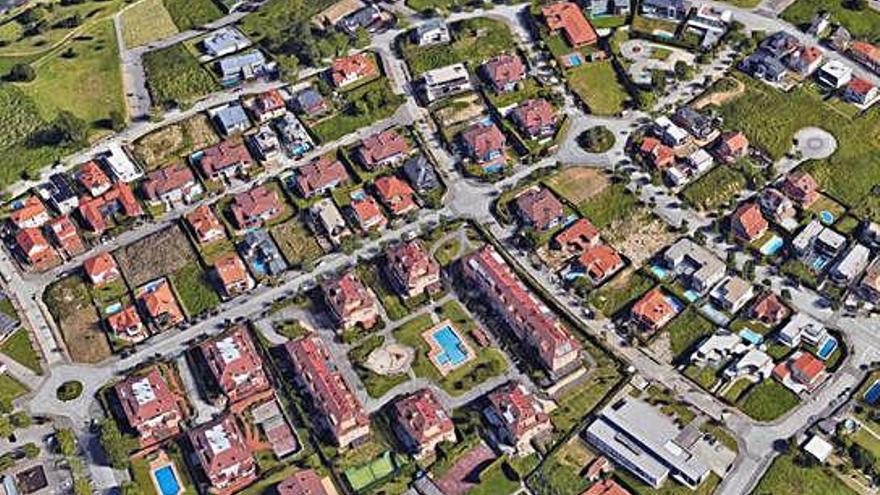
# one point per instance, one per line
(339, 412)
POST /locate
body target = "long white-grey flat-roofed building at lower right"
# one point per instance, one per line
(647, 443)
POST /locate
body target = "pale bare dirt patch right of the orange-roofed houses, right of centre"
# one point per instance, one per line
(639, 237)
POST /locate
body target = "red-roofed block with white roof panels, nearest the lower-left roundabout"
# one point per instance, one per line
(150, 406)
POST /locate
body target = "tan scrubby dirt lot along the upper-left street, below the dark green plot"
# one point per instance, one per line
(175, 142)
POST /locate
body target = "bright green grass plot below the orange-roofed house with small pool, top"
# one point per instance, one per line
(596, 84)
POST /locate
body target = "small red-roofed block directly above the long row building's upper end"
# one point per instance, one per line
(350, 302)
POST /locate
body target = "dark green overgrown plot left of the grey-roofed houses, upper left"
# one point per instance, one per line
(175, 77)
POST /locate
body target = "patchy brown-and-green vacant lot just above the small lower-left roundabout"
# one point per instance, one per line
(70, 304)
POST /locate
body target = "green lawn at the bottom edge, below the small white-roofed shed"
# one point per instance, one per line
(785, 477)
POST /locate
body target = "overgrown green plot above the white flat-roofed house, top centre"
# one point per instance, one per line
(474, 41)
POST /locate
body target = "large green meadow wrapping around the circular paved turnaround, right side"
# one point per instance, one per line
(770, 119)
